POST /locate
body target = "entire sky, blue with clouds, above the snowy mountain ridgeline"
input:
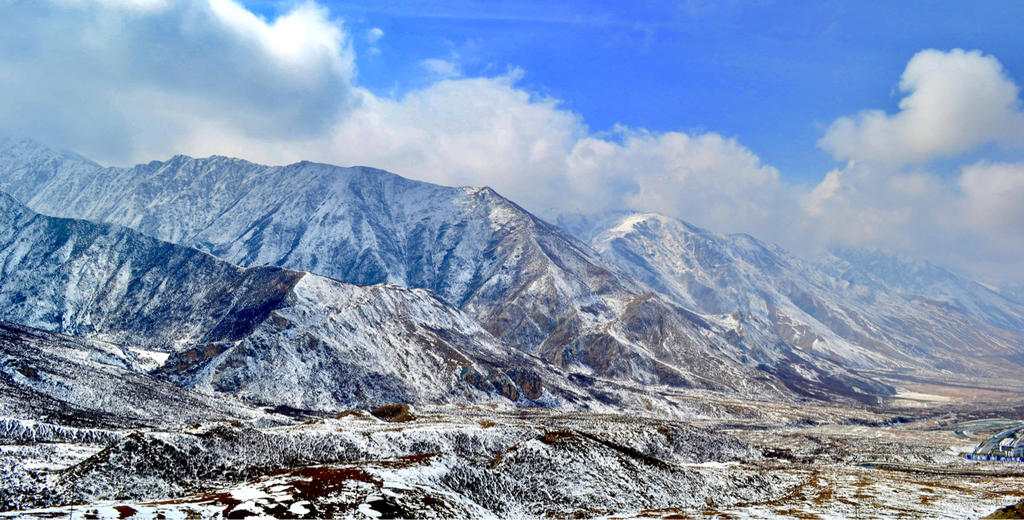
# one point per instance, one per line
(890, 125)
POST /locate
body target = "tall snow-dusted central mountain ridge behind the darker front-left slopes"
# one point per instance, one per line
(523, 280)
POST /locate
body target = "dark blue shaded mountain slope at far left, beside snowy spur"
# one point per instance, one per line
(111, 283)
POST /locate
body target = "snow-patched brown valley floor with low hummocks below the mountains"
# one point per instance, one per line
(734, 459)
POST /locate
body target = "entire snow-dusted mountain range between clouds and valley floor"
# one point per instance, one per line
(324, 287)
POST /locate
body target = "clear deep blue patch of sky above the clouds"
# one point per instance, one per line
(773, 75)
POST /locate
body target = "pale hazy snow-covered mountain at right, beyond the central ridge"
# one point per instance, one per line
(858, 311)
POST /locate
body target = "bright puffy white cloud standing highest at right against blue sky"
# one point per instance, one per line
(956, 101)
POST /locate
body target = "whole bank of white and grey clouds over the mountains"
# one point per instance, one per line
(136, 80)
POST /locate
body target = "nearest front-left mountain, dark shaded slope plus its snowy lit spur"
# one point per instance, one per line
(269, 335)
